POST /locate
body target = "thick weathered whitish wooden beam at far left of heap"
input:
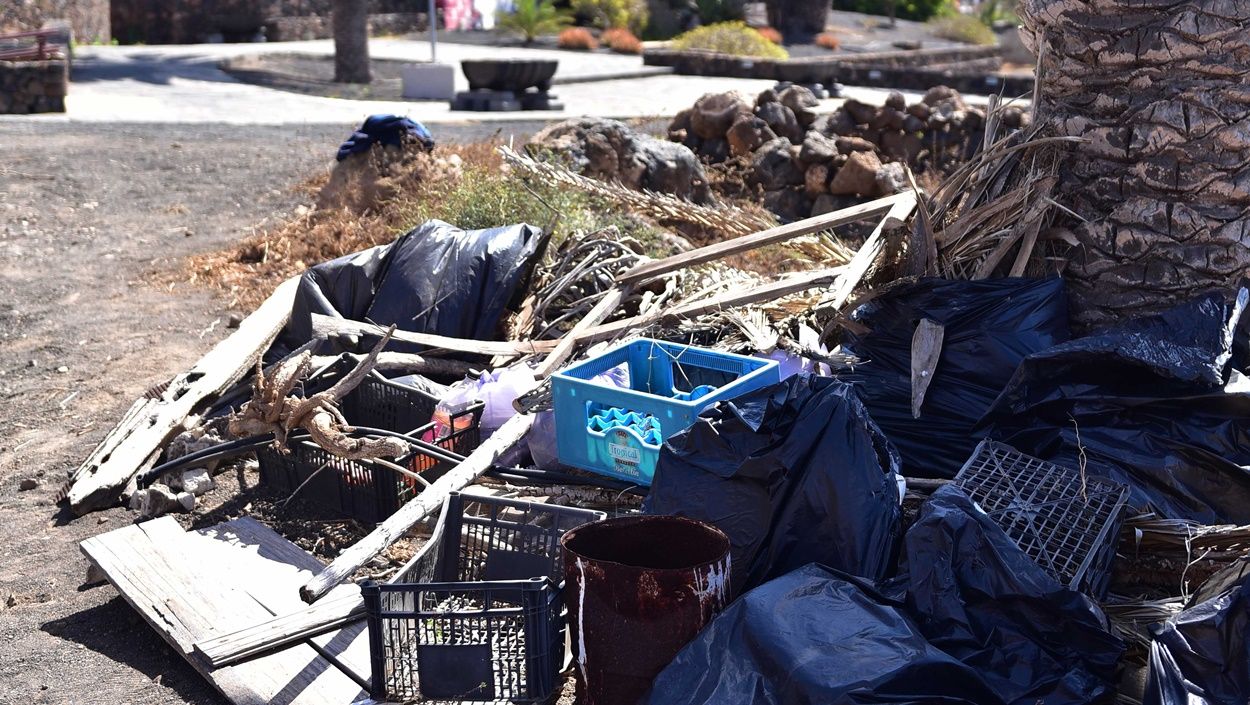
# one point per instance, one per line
(101, 481)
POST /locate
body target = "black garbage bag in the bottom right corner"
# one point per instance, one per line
(1202, 657)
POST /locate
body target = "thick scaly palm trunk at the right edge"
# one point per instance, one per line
(1158, 89)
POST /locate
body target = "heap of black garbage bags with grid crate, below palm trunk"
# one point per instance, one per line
(846, 598)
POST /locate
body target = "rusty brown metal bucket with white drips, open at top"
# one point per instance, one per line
(638, 589)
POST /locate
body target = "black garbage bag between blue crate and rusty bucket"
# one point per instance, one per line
(794, 474)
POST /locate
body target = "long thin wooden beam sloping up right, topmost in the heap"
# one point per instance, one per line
(772, 237)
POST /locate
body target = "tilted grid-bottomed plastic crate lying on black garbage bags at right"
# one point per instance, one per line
(1066, 523)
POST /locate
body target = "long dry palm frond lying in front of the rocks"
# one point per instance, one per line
(663, 208)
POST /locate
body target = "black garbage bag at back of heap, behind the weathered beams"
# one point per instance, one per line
(436, 279)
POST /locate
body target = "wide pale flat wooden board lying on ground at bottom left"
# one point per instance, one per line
(193, 586)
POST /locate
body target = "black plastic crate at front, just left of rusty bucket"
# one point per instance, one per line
(477, 614)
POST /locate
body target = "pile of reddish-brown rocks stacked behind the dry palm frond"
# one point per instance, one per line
(808, 164)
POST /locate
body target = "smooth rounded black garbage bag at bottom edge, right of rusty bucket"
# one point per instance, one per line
(816, 637)
